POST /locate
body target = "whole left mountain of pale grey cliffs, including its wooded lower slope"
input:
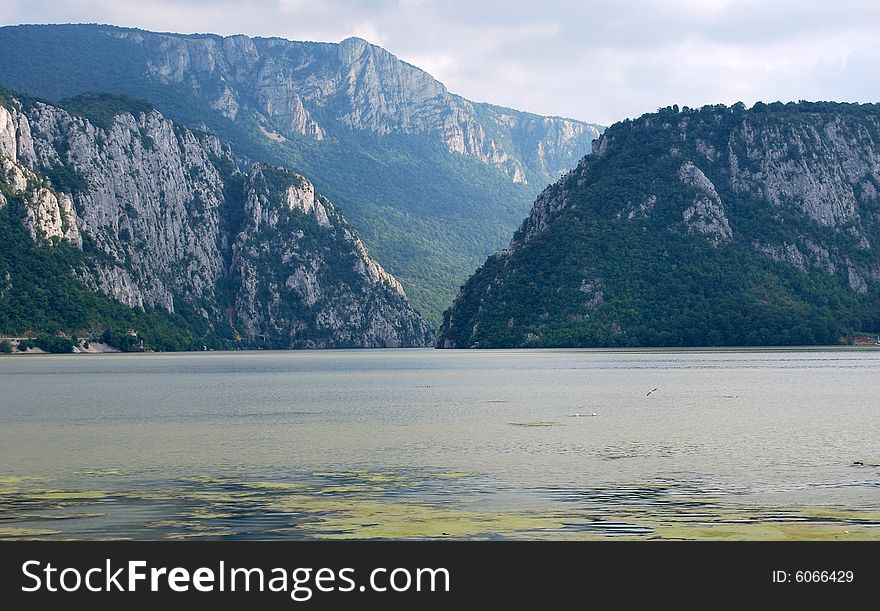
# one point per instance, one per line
(107, 197)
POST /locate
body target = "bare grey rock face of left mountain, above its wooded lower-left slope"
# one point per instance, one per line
(167, 220)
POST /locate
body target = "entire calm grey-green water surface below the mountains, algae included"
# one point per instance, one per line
(437, 444)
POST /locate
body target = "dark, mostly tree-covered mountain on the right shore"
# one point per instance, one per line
(717, 226)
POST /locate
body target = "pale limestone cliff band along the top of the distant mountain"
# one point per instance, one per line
(307, 88)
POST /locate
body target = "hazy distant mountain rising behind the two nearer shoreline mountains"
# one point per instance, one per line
(432, 181)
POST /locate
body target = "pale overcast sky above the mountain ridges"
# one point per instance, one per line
(597, 61)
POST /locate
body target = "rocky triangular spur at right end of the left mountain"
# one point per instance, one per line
(294, 248)
